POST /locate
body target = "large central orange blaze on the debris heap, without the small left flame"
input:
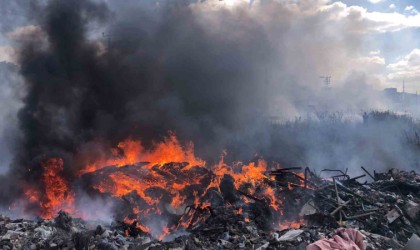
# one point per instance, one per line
(183, 184)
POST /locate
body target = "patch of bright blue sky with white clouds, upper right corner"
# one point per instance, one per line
(397, 41)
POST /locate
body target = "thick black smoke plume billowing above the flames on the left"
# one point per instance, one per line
(156, 70)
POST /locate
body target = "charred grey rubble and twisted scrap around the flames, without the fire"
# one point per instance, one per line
(384, 211)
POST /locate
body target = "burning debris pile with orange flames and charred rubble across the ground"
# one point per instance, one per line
(182, 206)
